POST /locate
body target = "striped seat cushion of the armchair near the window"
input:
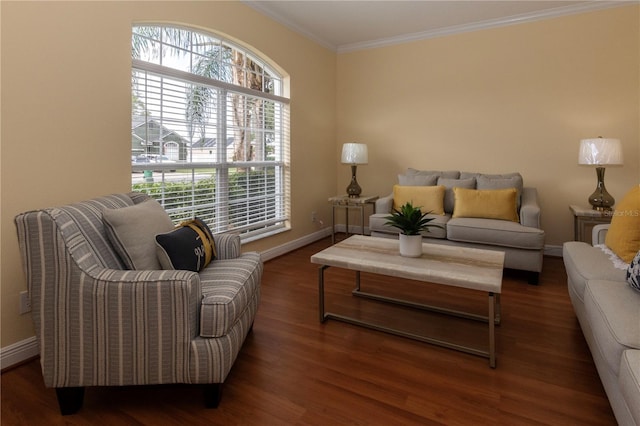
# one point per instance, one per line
(227, 287)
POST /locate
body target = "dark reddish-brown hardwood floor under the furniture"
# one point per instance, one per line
(295, 370)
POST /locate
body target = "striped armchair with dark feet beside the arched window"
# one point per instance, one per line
(98, 324)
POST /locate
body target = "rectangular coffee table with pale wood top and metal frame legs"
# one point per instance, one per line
(440, 264)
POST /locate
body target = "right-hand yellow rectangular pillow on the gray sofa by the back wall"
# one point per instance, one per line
(486, 203)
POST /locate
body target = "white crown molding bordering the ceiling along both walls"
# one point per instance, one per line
(258, 5)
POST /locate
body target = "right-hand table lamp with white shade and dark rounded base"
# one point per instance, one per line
(600, 152)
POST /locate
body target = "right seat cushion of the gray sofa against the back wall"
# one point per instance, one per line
(495, 232)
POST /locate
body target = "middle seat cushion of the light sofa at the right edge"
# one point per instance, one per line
(613, 311)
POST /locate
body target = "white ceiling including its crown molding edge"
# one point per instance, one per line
(354, 25)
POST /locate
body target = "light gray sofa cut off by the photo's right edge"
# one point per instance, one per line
(608, 310)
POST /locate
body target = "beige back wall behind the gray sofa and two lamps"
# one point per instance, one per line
(515, 98)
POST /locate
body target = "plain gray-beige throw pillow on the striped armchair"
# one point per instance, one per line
(132, 231)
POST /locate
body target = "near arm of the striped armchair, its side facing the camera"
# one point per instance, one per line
(119, 322)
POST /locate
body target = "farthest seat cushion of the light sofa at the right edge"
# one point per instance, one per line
(584, 262)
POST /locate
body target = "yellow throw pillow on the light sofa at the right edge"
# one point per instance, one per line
(623, 237)
